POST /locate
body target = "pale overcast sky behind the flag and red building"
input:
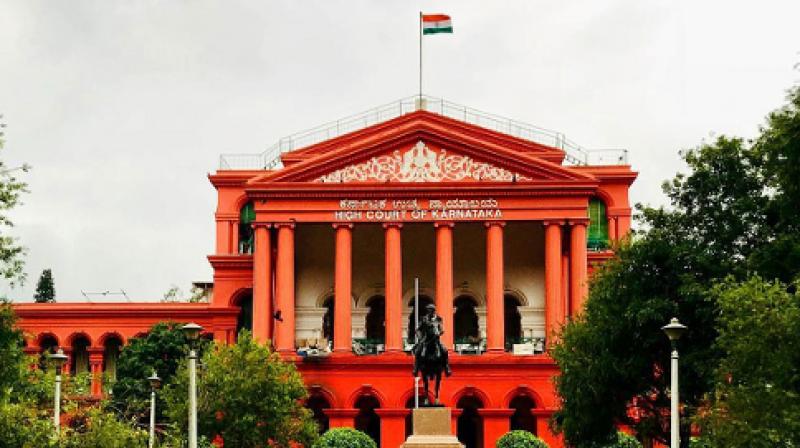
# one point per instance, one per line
(123, 107)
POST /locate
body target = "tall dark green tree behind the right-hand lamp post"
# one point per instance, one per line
(732, 216)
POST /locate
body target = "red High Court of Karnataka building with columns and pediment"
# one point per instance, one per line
(319, 241)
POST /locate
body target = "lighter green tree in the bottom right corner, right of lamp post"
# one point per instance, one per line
(756, 402)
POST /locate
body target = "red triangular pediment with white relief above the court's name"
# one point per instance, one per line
(421, 149)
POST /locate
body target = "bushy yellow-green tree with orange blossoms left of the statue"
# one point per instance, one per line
(247, 395)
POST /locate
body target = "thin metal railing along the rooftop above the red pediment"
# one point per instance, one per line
(271, 157)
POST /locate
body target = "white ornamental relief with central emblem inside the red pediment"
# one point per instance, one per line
(421, 164)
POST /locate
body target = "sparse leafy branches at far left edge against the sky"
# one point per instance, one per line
(11, 252)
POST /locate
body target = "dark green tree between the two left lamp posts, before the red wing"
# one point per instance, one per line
(162, 350)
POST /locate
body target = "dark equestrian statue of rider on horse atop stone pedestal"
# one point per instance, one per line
(430, 356)
